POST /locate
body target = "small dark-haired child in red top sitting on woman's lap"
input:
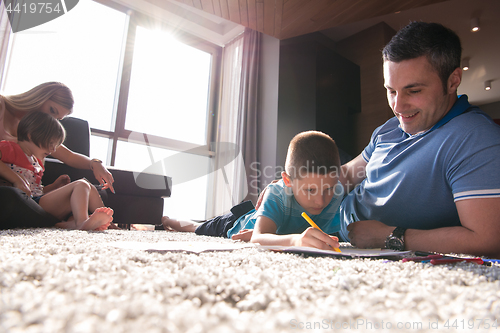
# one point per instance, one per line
(39, 134)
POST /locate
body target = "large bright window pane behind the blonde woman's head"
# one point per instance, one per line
(83, 56)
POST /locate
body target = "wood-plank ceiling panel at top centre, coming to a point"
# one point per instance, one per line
(290, 18)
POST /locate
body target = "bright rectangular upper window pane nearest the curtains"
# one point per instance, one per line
(169, 88)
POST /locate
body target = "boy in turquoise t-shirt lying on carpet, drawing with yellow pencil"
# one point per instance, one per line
(310, 184)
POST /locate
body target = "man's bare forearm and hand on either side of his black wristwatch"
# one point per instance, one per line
(478, 235)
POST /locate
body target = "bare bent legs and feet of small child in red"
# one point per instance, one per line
(74, 198)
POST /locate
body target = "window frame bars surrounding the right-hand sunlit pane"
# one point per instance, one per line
(118, 132)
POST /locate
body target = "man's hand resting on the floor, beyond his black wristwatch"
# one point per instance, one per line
(368, 234)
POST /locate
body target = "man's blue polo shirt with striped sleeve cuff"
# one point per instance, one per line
(413, 181)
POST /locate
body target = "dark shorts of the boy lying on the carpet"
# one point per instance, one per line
(220, 225)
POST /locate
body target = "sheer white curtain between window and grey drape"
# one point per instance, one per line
(236, 129)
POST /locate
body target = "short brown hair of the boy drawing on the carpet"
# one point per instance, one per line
(311, 152)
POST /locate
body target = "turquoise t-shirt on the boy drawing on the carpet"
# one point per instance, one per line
(280, 206)
